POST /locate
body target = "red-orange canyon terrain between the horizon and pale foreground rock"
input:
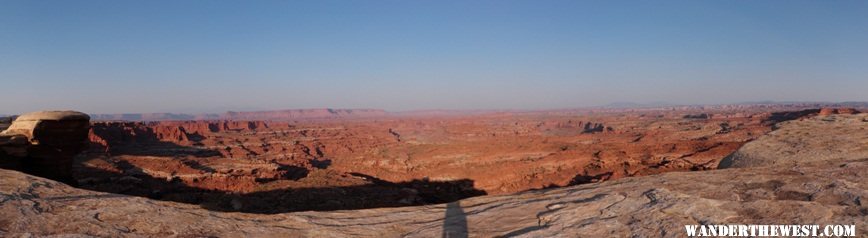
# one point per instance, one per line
(274, 166)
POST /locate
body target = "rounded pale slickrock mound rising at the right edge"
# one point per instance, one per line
(822, 139)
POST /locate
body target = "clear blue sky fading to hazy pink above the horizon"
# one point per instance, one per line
(210, 56)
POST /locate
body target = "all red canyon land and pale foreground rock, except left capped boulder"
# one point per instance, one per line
(336, 173)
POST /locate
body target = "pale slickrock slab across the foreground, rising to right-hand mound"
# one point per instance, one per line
(764, 182)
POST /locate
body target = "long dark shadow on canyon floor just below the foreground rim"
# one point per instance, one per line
(130, 180)
